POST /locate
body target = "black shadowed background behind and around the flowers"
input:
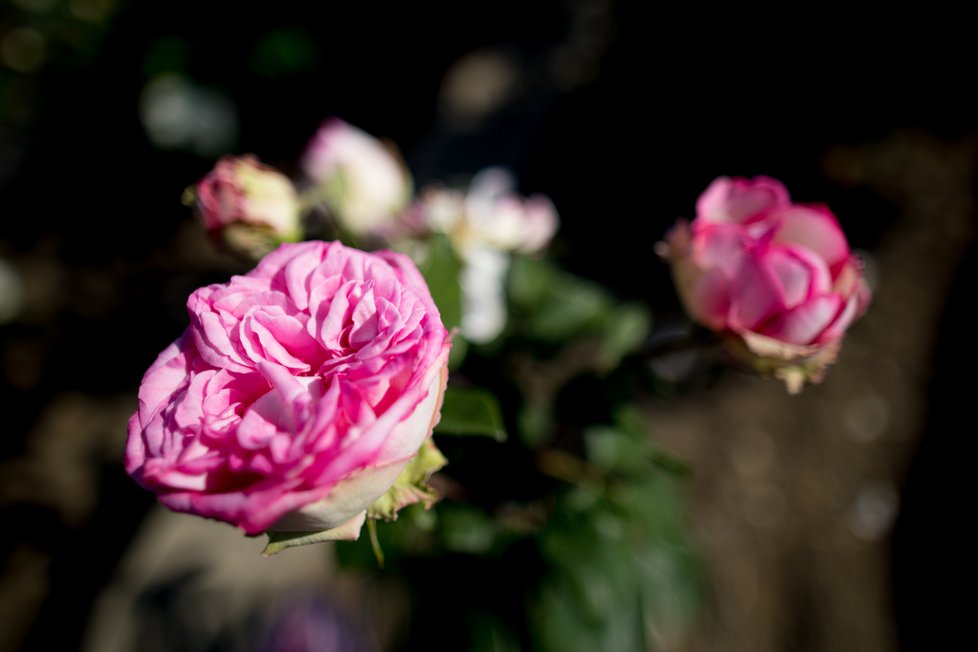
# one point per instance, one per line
(657, 103)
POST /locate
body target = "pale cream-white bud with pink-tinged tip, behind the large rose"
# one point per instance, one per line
(363, 180)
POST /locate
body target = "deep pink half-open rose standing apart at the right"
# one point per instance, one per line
(776, 278)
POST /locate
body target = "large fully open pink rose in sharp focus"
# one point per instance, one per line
(297, 394)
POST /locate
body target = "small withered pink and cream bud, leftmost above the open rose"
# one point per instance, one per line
(248, 206)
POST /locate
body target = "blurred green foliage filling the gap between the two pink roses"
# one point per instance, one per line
(570, 534)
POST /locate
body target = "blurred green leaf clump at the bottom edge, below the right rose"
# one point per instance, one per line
(623, 574)
